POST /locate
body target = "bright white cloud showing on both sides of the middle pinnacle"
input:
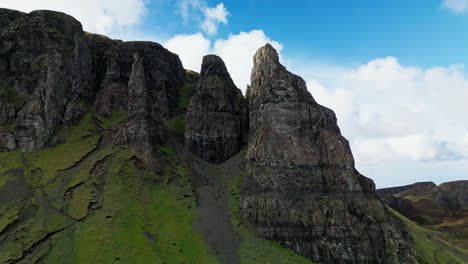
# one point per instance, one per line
(237, 52)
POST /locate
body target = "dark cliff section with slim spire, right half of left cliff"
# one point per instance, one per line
(142, 78)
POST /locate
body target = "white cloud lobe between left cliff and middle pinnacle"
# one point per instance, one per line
(190, 55)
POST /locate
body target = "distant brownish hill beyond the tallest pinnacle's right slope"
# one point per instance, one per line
(441, 208)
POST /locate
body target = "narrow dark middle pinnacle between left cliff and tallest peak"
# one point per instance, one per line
(217, 118)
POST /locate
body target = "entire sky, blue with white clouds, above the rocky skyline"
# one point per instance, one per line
(393, 71)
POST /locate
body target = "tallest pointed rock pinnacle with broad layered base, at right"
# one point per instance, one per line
(302, 189)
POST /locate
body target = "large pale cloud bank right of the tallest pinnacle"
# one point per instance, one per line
(389, 111)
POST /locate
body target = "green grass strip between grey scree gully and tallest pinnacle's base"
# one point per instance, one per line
(254, 249)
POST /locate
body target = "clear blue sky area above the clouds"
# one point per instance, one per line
(421, 33)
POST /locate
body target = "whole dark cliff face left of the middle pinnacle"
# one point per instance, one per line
(49, 66)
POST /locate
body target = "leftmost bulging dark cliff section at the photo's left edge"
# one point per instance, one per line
(44, 65)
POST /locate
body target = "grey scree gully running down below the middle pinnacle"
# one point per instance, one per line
(213, 214)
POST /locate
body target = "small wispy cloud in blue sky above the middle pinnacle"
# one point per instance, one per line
(194, 10)
